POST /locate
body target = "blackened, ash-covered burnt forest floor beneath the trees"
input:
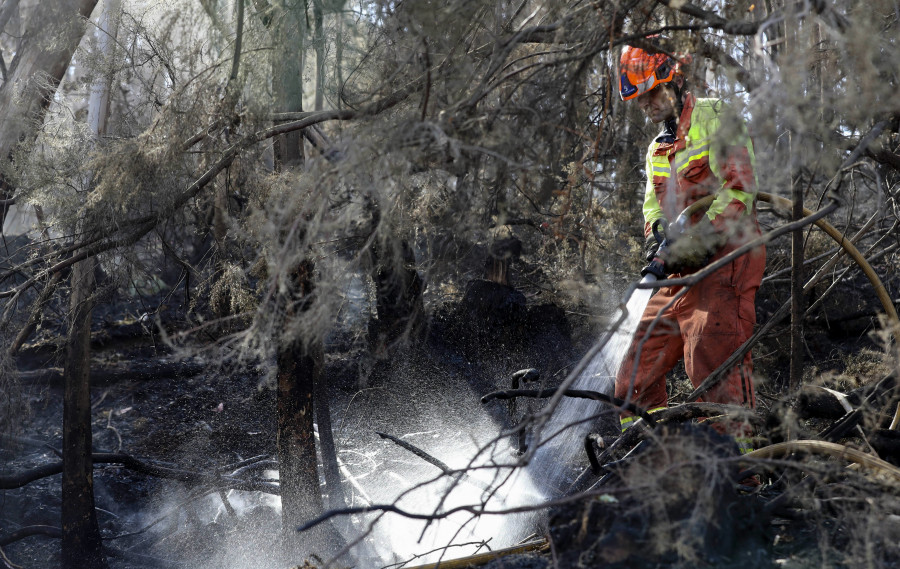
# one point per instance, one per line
(658, 508)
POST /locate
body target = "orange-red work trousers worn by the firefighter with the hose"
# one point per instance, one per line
(705, 326)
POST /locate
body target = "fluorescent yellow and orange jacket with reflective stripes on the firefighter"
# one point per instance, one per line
(712, 155)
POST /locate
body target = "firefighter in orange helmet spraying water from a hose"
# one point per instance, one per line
(702, 150)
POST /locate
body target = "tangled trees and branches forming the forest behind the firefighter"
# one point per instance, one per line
(261, 186)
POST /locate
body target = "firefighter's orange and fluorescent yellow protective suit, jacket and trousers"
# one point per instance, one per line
(706, 152)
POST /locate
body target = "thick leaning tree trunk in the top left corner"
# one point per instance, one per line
(53, 33)
